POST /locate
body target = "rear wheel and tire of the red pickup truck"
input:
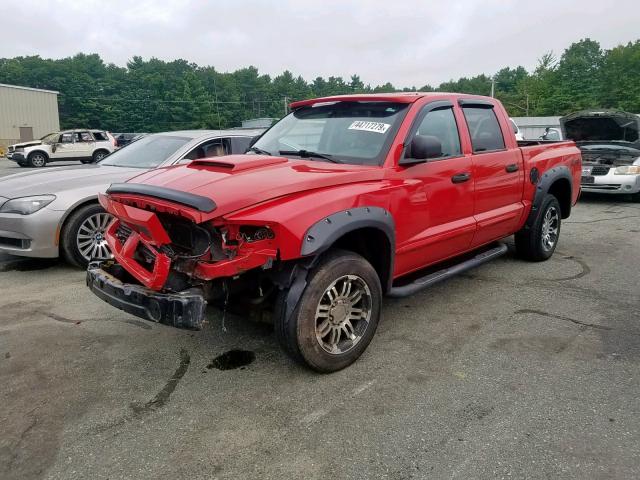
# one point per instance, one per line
(538, 243)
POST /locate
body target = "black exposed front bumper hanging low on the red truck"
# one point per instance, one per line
(181, 310)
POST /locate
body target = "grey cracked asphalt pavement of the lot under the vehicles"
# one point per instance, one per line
(513, 370)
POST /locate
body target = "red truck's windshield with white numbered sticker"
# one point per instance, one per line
(343, 132)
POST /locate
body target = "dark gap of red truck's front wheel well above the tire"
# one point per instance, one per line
(374, 245)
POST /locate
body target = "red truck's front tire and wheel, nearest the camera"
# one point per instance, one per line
(312, 335)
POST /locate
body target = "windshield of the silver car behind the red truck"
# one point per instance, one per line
(148, 152)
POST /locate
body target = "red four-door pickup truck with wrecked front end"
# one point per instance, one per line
(346, 199)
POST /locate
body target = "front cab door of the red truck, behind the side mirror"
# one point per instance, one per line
(436, 216)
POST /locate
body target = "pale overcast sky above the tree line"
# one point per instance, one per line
(408, 43)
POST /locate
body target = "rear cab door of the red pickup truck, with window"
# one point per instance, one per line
(498, 173)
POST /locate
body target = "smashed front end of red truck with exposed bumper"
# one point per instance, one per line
(172, 255)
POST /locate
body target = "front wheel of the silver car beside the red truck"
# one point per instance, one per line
(82, 231)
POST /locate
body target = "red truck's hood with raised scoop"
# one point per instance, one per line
(237, 181)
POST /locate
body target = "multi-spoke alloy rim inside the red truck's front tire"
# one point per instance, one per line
(343, 314)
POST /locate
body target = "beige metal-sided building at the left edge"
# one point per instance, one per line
(26, 113)
